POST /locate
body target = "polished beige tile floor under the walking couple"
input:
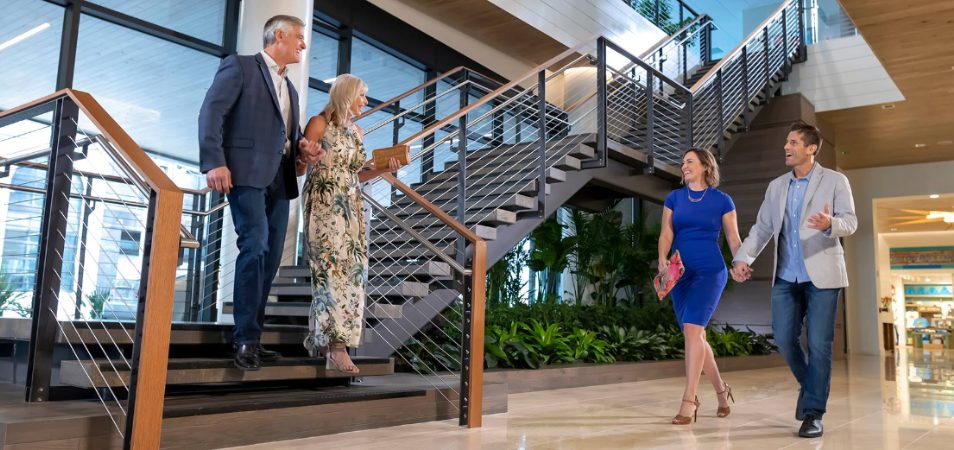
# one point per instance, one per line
(903, 401)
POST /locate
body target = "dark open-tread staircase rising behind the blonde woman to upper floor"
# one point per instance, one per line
(503, 181)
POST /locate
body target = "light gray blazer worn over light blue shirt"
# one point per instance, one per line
(824, 255)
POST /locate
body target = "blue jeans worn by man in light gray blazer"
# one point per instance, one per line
(792, 305)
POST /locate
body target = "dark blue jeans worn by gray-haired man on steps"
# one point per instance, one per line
(260, 217)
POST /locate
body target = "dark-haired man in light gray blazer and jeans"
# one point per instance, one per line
(805, 211)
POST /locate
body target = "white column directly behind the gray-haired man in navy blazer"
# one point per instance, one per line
(252, 20)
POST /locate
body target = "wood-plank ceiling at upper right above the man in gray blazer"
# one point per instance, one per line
(914, 40)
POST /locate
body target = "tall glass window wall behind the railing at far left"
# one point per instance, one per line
(149, 65)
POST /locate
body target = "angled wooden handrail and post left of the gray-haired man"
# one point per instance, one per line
(163, 258)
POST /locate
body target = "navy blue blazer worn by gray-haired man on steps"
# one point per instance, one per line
(241, 126)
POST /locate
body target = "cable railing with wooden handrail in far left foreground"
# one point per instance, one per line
(100, 228)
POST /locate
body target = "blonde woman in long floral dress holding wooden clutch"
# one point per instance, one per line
(335, 228)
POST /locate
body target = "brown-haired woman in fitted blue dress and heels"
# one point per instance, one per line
(692, 220)
